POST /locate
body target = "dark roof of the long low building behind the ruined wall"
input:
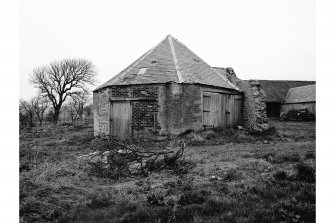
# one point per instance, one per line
(276, 90)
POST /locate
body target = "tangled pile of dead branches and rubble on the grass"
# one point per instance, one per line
(114, 158)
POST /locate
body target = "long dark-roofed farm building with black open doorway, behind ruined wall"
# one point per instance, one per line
(275, 92)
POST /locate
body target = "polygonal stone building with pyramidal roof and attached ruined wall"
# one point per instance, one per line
(169, 90)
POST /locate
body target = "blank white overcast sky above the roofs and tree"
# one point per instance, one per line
(260, 39)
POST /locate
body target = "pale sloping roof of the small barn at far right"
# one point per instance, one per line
(301, 94)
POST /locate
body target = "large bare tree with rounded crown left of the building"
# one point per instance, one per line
(62, 79)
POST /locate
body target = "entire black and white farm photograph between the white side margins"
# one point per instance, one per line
(167, 111)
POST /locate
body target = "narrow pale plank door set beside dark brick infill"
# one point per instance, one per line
(121, 119)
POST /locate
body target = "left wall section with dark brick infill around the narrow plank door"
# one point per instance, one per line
(144, 102)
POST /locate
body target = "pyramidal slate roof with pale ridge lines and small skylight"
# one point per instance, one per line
(170, 61)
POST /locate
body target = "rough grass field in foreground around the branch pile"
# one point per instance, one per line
(231, 177)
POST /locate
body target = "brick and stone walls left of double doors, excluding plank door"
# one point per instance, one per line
(156, 109)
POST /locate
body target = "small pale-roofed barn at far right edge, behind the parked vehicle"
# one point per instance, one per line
(300, 98)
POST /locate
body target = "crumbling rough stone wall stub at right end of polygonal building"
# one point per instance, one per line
(254, 108)
